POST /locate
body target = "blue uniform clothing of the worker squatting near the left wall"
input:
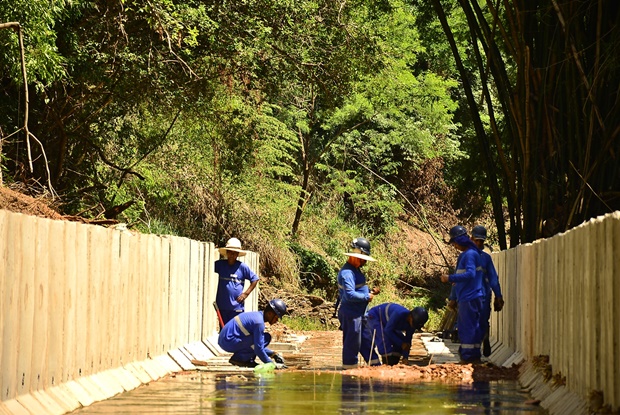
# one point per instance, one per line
(244, 331)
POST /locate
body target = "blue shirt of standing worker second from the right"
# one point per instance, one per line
(468, 276)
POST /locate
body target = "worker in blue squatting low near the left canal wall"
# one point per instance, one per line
(245, 336)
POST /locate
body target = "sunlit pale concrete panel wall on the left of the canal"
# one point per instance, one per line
(88, 312)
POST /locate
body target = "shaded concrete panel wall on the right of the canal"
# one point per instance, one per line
(560, 317)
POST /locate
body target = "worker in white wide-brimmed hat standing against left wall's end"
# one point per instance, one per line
(232, 273)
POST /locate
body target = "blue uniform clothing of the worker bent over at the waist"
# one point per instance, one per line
(390, 321)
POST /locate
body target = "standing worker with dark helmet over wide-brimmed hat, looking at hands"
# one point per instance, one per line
(354, 299)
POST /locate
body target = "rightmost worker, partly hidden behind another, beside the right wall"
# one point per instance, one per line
(490, 283)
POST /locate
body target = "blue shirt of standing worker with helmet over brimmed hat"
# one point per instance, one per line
(353, 291)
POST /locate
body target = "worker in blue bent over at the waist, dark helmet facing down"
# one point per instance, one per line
(392, 327)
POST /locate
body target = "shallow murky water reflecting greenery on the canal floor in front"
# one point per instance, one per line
(305, 393)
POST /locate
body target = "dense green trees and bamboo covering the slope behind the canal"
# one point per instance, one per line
(296, 125)
